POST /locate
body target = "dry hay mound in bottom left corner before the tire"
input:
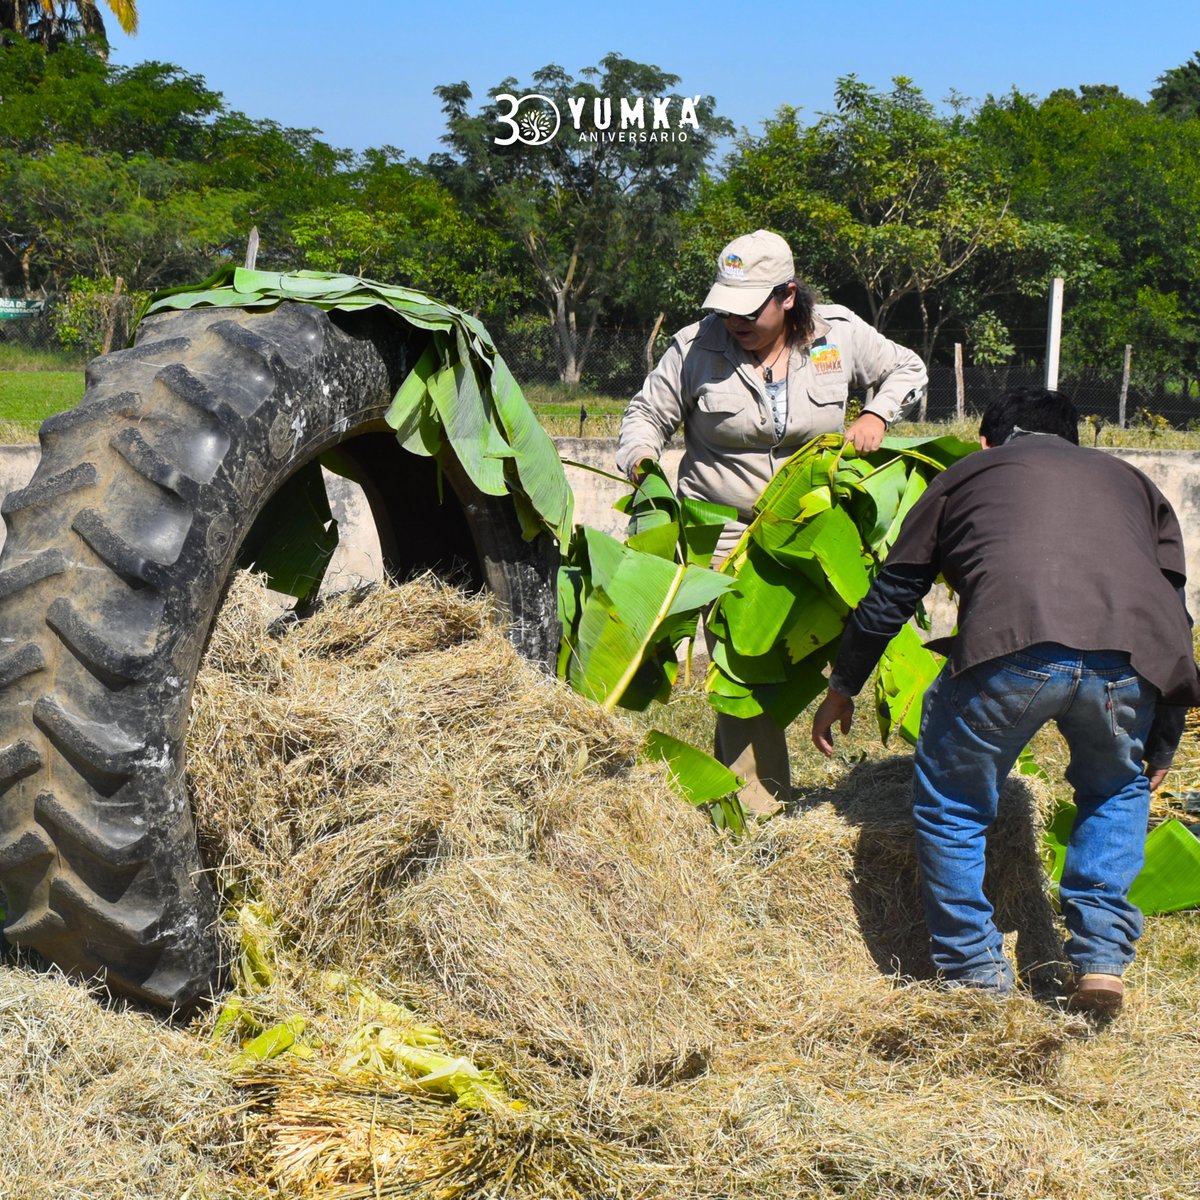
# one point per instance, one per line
(105, 1103)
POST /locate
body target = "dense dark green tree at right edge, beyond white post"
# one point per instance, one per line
(1126, 178)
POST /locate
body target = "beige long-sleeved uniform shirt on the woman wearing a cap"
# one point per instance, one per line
(707, 385)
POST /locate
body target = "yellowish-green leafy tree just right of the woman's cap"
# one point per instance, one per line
(884, 199)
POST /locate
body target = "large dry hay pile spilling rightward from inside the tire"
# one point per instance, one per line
(682, 1015)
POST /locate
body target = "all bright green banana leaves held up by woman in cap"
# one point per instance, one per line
(777, 607)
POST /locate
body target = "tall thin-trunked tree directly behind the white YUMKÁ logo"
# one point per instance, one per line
(589, 202)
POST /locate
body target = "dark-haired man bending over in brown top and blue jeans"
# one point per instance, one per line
(1070, 569)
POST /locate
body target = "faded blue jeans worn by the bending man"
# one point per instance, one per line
(974, 728)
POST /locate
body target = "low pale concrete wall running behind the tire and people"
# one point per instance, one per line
(1177, 472)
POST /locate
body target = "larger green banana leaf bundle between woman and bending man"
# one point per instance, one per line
(821, 530)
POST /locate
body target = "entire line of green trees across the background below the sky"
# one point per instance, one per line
(573, 203)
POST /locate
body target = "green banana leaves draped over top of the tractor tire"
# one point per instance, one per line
(460, 398)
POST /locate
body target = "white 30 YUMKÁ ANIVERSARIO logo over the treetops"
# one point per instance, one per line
(535, 119)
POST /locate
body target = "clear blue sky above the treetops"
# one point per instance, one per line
(364, 73)
